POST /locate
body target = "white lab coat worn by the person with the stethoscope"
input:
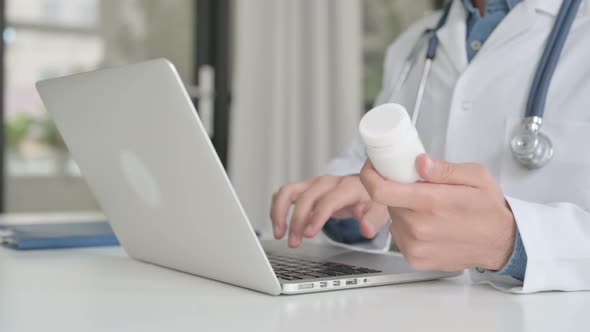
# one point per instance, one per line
(470, 111)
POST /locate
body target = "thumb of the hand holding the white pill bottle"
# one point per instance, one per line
(439, 171)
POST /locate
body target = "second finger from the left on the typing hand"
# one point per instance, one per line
(303, 207)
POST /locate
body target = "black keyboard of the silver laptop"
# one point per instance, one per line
(291, 268)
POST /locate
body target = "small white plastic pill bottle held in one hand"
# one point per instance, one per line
(392, 142)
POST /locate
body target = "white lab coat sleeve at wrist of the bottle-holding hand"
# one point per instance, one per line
(556, 238)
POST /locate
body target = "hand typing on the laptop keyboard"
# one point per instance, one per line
(317, 199)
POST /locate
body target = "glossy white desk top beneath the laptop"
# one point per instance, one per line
(103, 290)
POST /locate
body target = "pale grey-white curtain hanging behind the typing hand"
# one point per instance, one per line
(297, 95)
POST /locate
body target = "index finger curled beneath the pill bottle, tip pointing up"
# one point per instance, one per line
(395, 194)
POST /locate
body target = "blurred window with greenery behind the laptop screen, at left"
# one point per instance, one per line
(49, 38)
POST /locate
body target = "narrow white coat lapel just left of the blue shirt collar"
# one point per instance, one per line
(452, 36)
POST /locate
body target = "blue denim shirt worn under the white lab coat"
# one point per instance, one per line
(479, 28)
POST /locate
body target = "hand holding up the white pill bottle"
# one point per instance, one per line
(457, 219)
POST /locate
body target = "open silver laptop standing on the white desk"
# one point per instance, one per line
(139, 143)
